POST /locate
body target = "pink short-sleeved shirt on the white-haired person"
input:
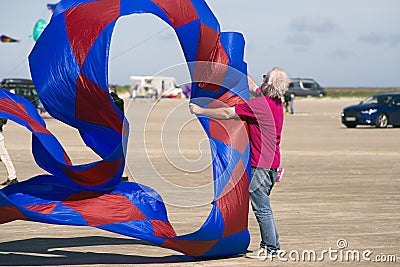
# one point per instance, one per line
(264, 117)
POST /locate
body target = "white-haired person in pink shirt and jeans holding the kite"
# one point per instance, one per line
(264, 116)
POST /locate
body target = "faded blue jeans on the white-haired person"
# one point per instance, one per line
(261, 184)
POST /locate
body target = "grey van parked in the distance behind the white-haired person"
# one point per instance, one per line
(305, 87)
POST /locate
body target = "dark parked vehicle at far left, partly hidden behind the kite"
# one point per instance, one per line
(22, 87)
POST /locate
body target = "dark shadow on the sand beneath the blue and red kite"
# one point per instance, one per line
(35, 252)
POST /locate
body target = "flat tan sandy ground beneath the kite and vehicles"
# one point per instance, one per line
(339, 197)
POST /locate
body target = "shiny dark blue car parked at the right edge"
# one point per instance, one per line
(380, 110)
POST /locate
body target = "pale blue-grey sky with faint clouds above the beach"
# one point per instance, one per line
(342, 43)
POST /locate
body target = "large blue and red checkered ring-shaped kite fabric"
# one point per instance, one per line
(69, 66)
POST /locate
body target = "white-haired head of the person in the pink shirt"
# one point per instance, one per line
(275, 83)
